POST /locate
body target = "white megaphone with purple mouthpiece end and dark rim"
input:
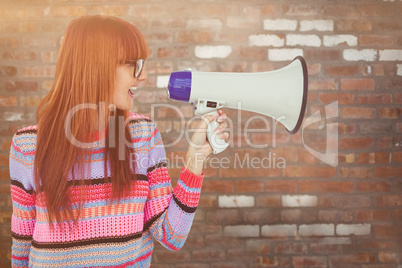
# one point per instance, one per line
(280, 94)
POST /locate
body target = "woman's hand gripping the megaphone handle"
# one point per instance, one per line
(200, 148)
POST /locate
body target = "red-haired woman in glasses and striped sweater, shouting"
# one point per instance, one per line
(90, 186)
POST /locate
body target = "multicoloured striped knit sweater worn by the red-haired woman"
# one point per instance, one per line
(121, 236)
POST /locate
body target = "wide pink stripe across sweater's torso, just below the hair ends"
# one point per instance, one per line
(88, 229)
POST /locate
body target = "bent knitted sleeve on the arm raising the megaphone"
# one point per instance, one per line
(169, 213)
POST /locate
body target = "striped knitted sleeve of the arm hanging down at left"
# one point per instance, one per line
(23, 199)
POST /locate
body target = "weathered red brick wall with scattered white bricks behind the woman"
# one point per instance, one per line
(278, 204)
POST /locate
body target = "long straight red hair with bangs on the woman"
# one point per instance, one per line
(91, 49)
